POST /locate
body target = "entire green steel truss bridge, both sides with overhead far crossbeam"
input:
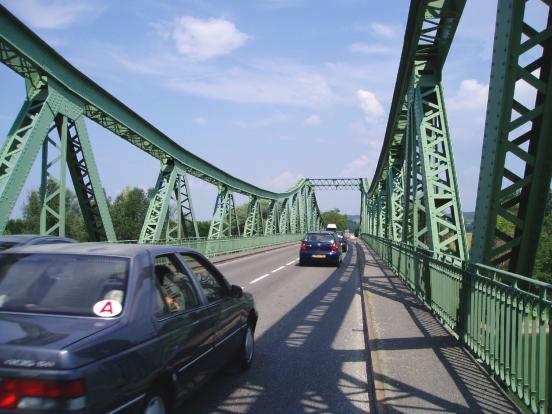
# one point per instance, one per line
(410, 210)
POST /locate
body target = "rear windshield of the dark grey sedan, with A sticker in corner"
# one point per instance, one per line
(60, 284)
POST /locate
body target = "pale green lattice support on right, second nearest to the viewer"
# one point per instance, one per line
(438, 198)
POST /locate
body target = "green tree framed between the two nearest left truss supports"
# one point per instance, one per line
(128, 213)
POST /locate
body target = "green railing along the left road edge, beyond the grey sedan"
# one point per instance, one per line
(217, 247)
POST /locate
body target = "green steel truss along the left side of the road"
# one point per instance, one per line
(59, 98)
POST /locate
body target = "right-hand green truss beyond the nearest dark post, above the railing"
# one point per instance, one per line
(414, 194)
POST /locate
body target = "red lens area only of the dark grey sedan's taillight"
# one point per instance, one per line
(12, 390)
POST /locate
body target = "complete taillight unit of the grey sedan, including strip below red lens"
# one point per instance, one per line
(42, 394)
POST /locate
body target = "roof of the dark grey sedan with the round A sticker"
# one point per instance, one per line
(98, 248)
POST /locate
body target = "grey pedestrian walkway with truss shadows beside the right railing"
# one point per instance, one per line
(418, 366)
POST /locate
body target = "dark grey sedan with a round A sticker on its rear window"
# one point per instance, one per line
(98, 327)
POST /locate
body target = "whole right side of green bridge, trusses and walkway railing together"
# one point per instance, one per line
(411, 213)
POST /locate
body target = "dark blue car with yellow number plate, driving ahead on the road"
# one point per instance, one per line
(320, 247)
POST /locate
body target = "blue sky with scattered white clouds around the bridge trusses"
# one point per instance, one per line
(269, 91)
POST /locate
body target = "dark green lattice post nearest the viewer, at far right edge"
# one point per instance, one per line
(514, 179)
